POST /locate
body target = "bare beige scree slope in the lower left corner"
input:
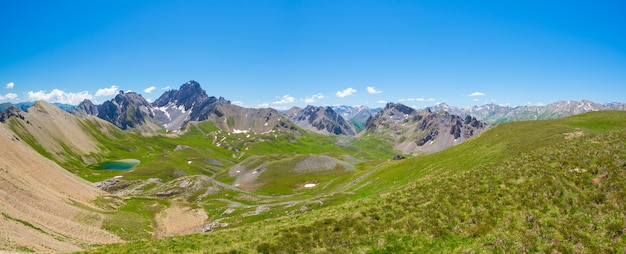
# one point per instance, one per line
(39, 203)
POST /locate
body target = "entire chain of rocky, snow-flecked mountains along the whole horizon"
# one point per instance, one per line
(411, 130)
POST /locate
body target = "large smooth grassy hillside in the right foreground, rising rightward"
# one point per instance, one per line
(537, 186)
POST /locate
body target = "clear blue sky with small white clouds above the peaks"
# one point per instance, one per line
(293, 53)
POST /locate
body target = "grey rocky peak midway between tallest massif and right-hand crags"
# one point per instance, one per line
(323, 120)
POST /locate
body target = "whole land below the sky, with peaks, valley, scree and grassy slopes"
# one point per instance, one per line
(210, 176)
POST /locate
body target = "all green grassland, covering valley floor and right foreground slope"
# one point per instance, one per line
(551, 186)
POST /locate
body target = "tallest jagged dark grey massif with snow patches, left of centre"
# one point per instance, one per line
(172, 110)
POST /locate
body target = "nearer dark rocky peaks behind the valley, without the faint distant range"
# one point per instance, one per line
(175, 108)
